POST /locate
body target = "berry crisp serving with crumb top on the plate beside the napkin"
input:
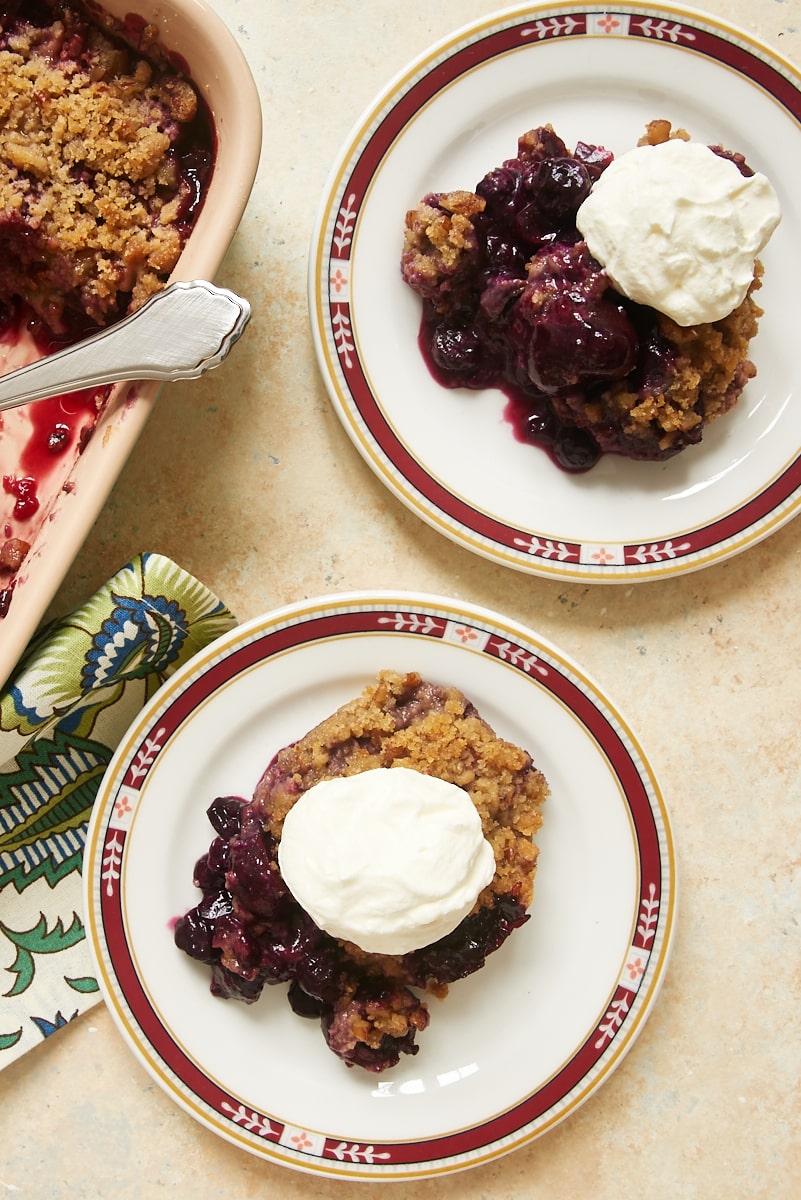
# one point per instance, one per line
(252, 932)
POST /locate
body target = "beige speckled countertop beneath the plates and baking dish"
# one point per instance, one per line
(248, 479)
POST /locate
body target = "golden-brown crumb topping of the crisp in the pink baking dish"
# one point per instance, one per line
(93, 197)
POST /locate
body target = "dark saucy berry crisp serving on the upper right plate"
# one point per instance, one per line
(515, 299)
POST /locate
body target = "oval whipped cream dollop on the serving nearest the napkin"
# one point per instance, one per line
(390, 860)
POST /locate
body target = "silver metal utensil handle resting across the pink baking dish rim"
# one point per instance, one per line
(179, 334)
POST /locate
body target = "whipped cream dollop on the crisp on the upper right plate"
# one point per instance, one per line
(679, 229)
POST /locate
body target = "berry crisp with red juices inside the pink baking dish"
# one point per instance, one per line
(105, 155)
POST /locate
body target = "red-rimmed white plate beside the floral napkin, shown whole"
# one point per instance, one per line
(513, 1051)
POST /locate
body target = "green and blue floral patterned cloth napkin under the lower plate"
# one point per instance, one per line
(79, 688)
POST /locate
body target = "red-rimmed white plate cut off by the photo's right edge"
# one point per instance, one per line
(450, 457)
